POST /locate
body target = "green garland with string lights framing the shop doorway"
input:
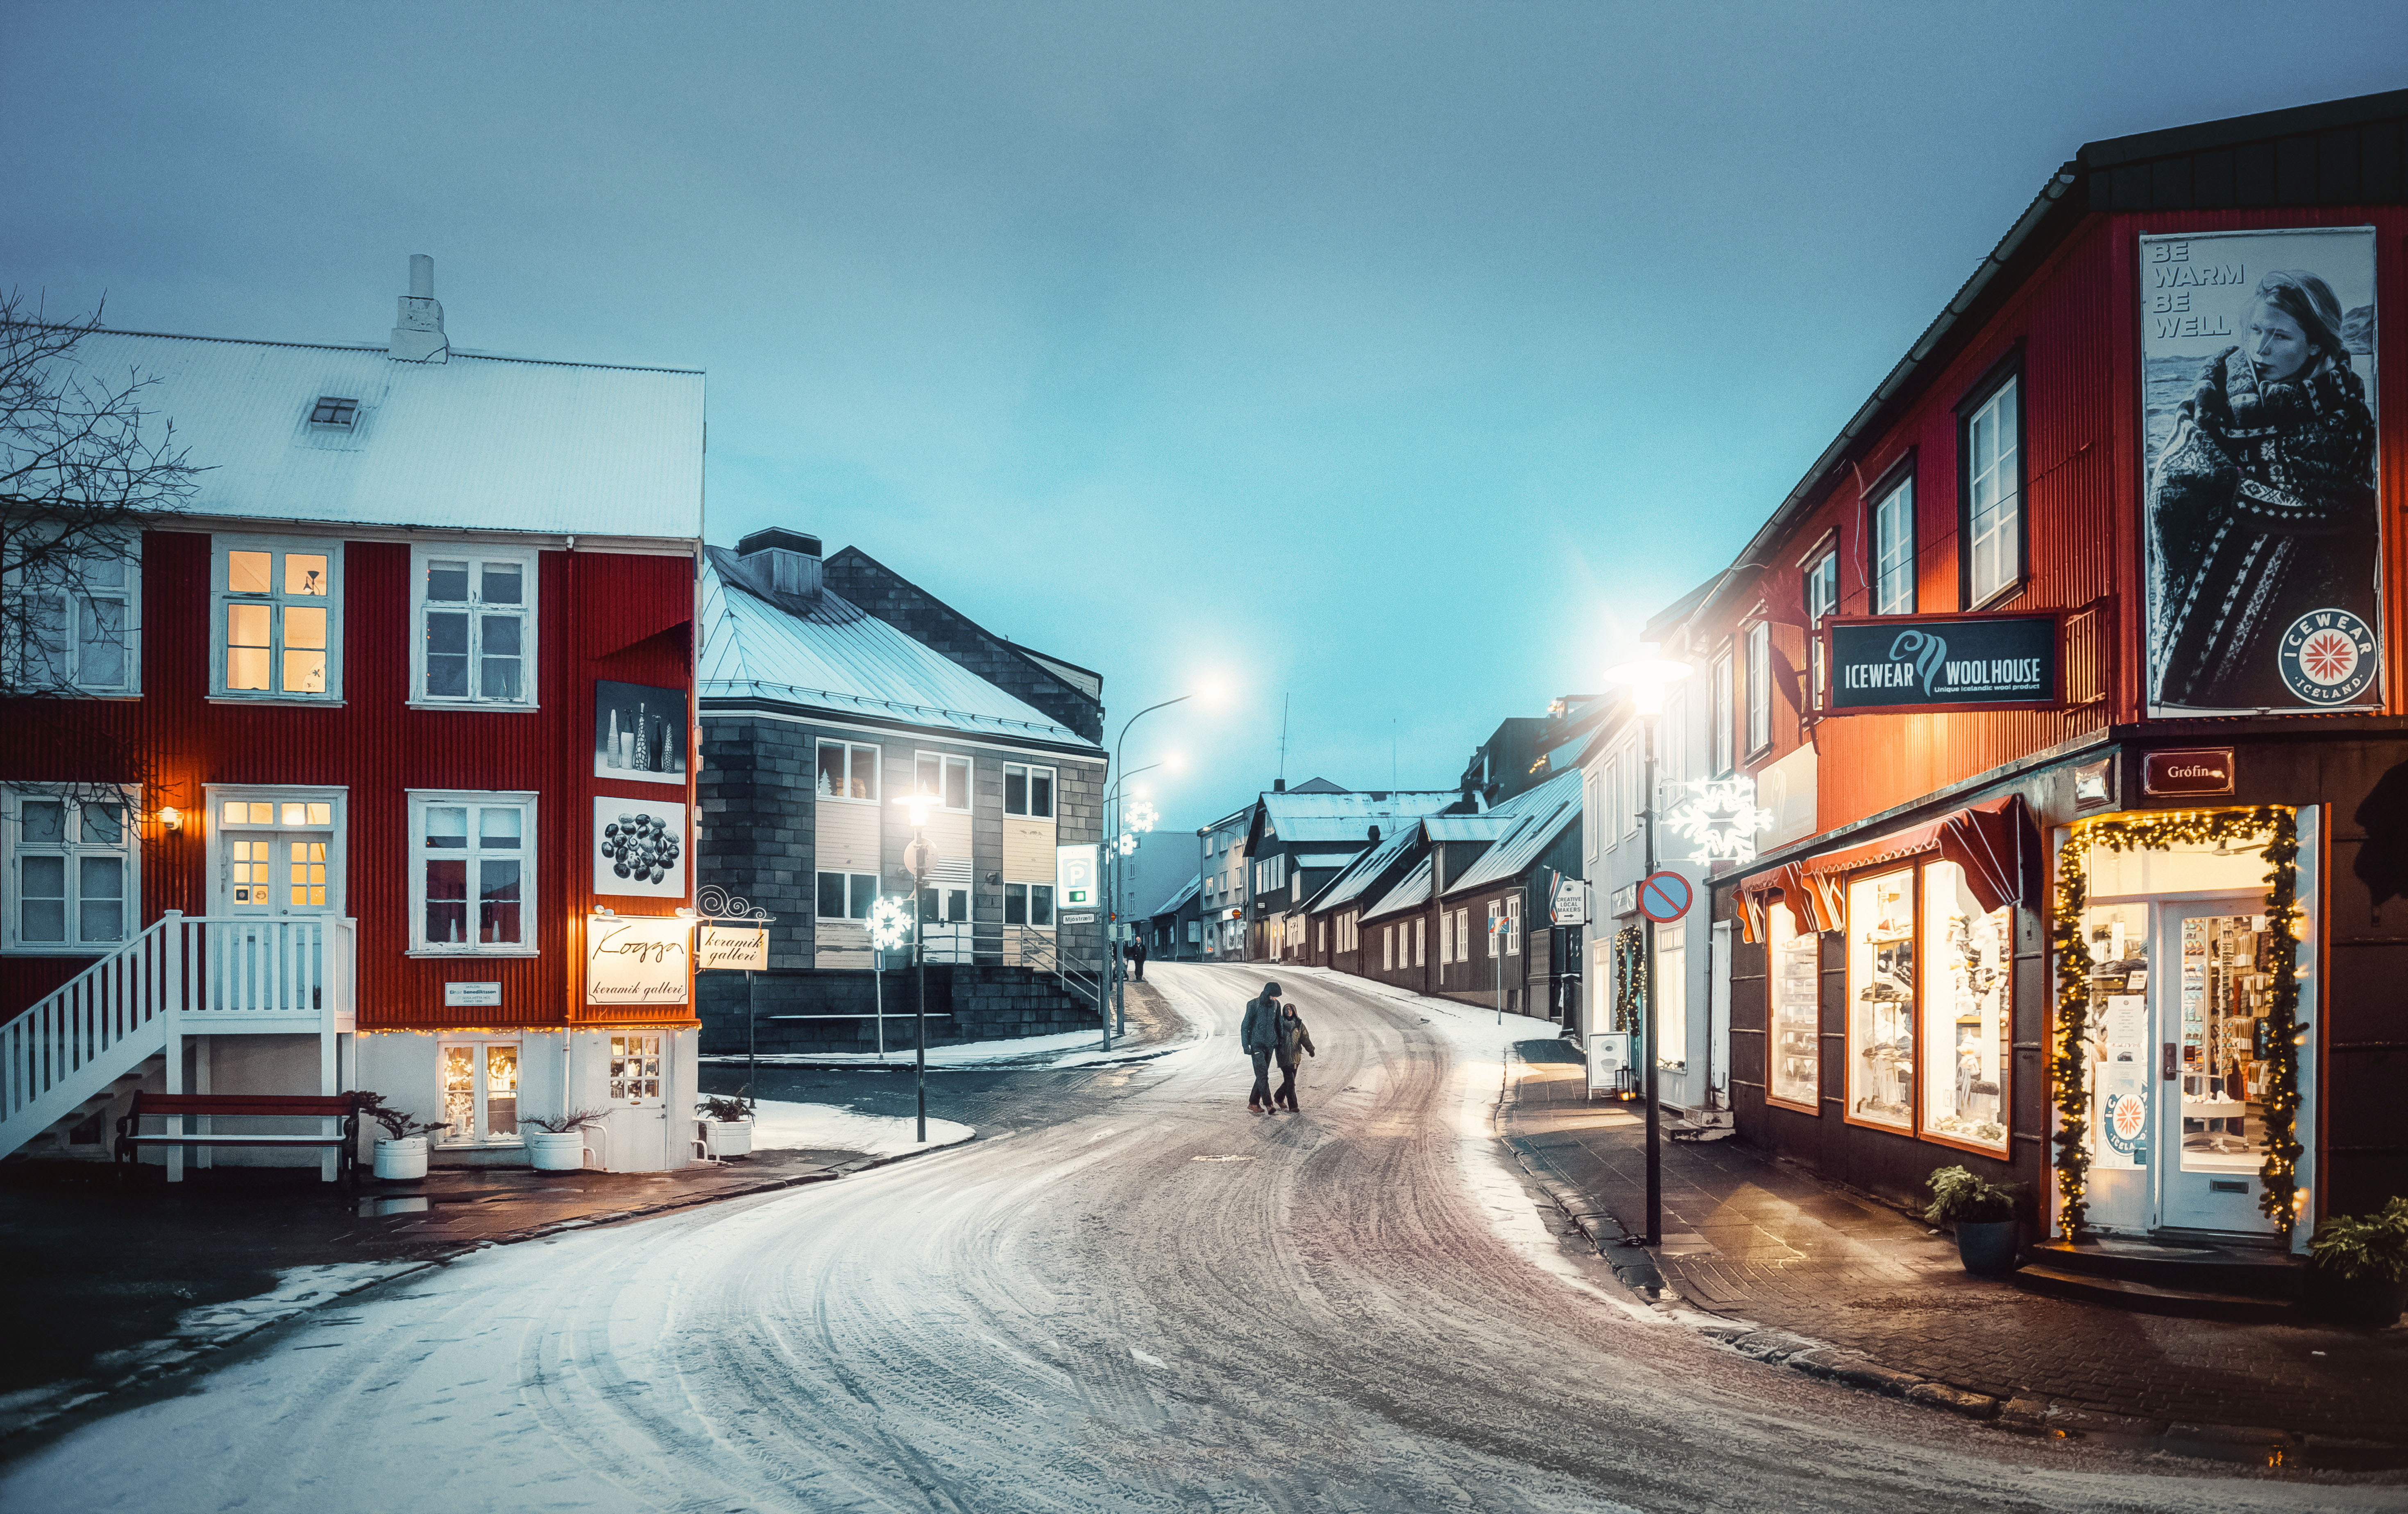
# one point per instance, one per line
(2070, 1055)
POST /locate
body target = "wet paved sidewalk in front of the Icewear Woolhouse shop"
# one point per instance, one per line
(1790, 1267)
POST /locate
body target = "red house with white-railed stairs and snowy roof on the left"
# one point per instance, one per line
(382, 757)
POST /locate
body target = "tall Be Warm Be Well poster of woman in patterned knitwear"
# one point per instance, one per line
(2265, 536)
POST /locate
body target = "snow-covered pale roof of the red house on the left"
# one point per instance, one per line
(473, 444)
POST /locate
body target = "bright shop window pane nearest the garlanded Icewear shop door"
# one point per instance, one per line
(1964, 1005)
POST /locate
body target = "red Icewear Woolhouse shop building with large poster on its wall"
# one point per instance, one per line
(2087, 641)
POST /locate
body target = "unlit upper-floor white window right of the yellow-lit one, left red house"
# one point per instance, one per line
(476, 627)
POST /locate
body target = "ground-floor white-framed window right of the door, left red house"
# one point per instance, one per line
(473, 873)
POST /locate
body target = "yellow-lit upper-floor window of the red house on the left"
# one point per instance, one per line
(278, 615)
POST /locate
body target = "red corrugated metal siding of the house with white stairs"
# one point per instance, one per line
(377, 750)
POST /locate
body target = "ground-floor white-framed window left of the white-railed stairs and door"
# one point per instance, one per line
(71, 870)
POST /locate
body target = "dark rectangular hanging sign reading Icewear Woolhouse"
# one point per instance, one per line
(1942, 663)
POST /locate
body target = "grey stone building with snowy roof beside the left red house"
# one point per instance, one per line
(825, 728)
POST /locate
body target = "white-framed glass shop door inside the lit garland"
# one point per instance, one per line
(2212, 993)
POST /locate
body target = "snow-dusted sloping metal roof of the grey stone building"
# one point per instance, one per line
(832, 656)
